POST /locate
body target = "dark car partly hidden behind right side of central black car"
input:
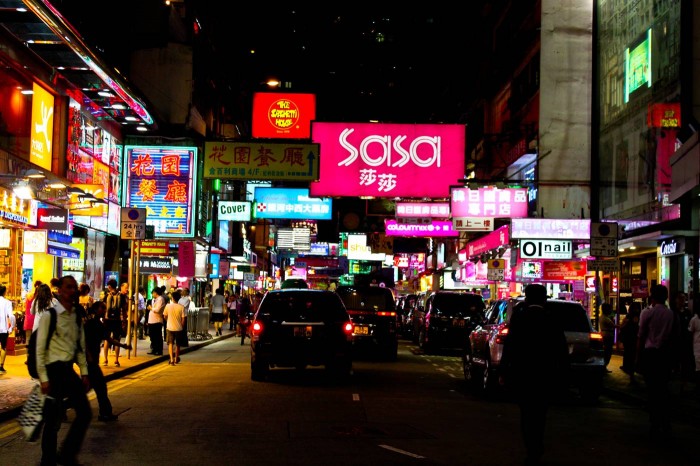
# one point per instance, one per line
(374, 317)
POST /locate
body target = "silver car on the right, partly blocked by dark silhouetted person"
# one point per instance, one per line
(483, 352)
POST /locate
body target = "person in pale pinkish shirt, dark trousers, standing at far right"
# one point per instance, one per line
(655, 356)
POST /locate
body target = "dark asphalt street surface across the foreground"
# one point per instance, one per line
(414, 411)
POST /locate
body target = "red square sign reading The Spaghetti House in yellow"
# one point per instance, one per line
(283, 115)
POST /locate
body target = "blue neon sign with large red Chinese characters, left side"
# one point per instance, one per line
(161, 180)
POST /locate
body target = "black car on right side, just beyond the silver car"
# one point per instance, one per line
(449, 318)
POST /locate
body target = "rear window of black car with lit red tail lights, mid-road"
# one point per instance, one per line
(310, 306)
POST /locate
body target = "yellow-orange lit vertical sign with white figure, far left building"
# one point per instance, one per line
(41, 127)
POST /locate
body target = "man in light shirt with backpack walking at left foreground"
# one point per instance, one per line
(59, 379)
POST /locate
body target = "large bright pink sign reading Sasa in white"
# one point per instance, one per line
(388, 160)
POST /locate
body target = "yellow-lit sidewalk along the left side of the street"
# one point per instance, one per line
(16, 385)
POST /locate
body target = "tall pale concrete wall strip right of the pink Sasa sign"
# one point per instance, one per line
(565, 109)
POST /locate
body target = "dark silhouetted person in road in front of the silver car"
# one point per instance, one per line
(534, 369)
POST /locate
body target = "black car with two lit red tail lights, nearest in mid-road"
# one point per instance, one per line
(299, 328)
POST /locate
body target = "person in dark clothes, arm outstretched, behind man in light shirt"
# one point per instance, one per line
(95, 332)
